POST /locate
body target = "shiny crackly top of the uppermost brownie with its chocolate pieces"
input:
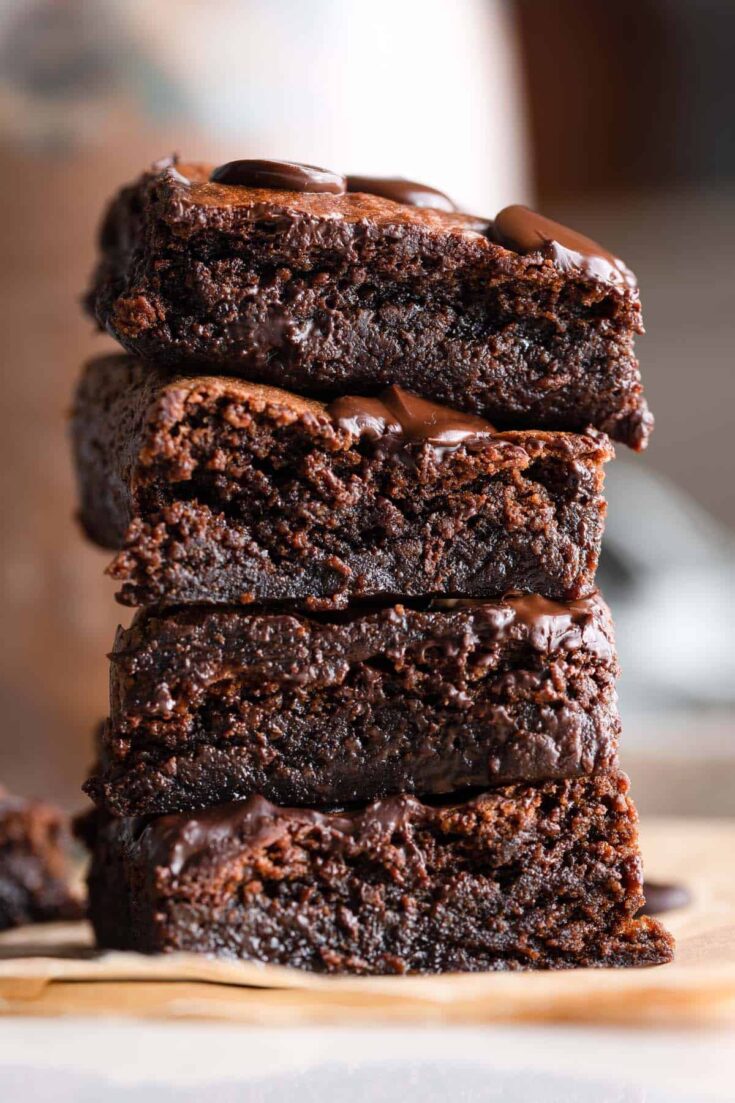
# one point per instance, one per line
(260, 189)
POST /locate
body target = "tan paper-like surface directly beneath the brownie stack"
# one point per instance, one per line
(55, 970)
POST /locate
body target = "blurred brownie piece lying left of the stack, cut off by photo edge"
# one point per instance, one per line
(34, 864)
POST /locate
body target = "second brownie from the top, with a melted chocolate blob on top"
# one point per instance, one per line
(223, 491)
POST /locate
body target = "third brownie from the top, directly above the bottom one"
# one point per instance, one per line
(214, 705)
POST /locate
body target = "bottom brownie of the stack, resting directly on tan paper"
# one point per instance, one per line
(520, 877)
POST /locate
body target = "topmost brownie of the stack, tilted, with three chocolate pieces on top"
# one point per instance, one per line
(334, 294)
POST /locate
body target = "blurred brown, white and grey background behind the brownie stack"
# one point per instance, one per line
(613, 117)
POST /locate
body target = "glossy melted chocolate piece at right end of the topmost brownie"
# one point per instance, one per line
(525, 231)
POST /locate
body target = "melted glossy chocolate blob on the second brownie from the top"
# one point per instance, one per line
(399, 415)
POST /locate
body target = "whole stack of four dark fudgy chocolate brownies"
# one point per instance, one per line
(365, 719)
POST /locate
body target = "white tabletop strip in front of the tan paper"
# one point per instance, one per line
(86, 1062)
